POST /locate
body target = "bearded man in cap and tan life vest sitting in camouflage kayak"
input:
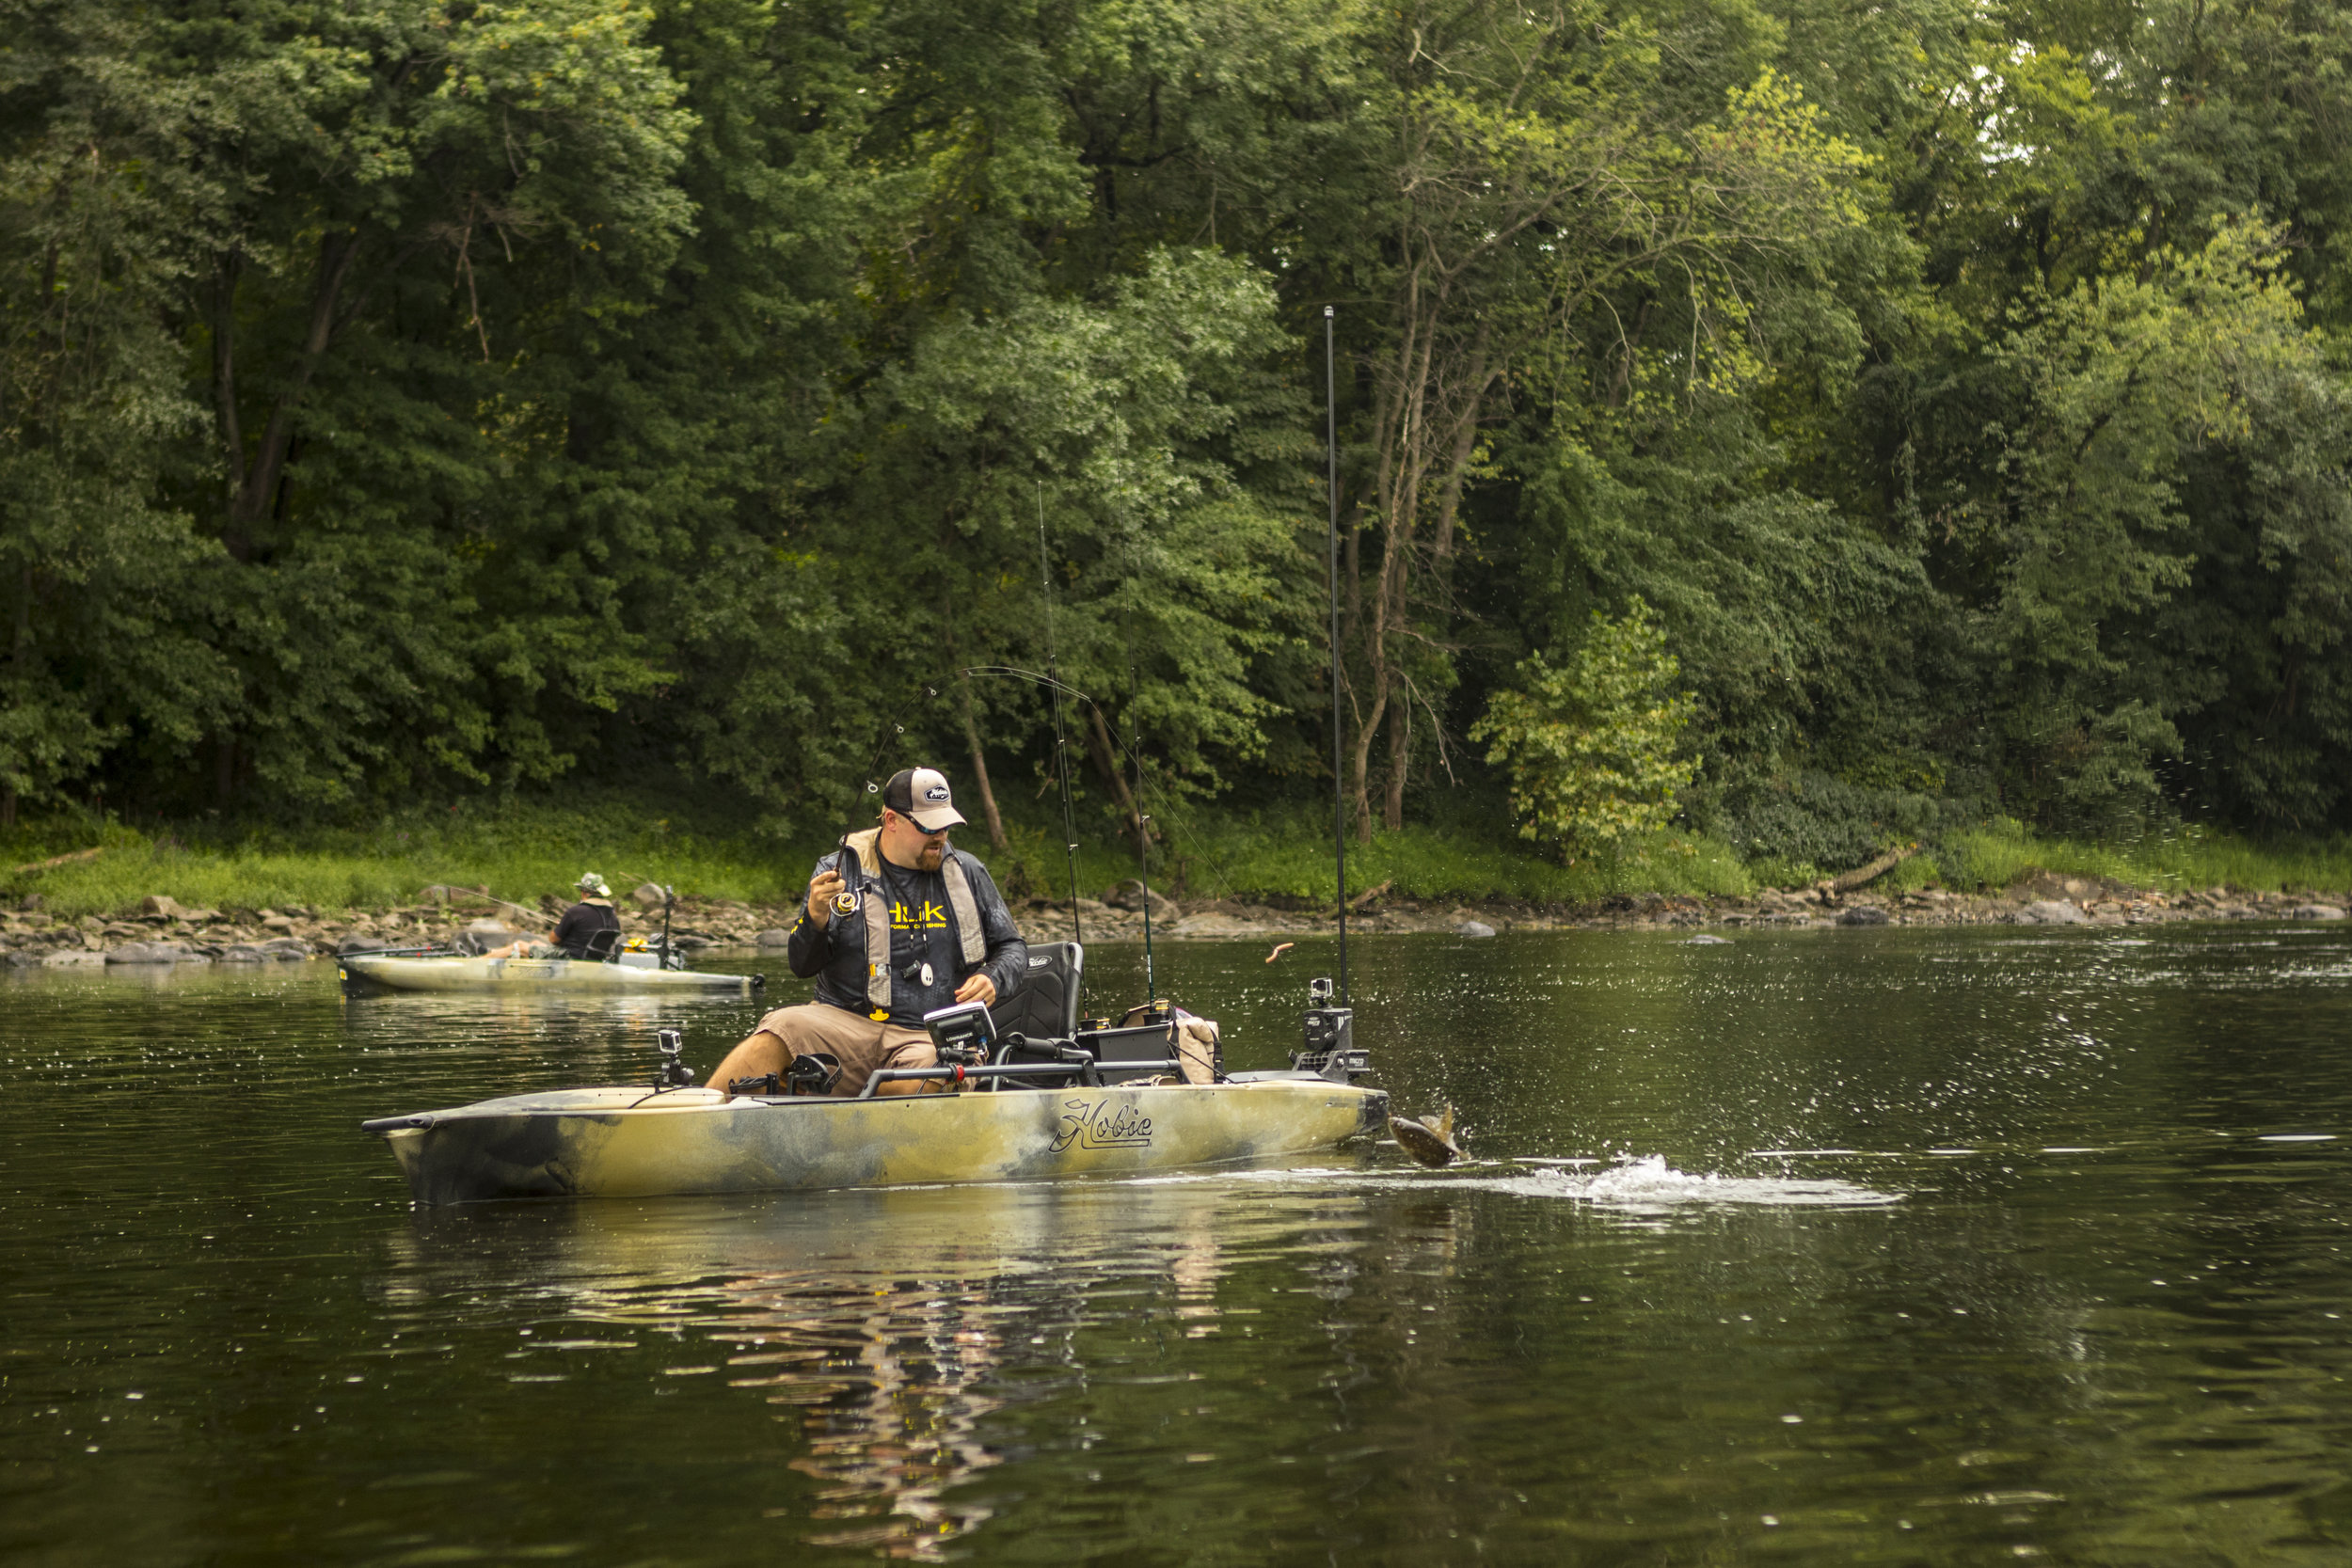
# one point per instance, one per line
(928, 927)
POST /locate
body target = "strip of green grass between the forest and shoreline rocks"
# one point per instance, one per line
(526, 852)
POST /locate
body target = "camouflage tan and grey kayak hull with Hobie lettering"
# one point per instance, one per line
(634, 1144)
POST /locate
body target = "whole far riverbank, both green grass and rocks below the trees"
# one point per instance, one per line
(81, 892)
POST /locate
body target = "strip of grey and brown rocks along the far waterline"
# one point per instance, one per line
(173, 934)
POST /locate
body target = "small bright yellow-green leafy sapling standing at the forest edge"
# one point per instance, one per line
(1591, 746)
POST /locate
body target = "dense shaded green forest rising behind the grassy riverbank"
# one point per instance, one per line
(410, 403)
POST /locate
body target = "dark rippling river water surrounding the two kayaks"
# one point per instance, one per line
(1864, 1247)
